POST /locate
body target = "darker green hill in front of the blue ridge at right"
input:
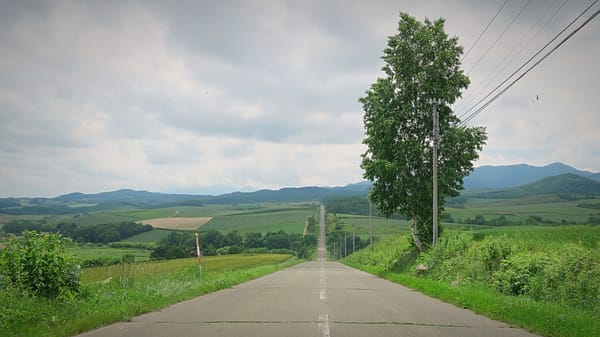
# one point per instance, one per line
(567, 185)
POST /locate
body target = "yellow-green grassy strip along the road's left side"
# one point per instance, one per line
(118, 293)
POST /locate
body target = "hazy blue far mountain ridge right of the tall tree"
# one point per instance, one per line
(493, 177)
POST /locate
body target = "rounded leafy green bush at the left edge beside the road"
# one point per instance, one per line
(40, 264)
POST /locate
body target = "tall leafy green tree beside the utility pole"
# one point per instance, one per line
(421, 63)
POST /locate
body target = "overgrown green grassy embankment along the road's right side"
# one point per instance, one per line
(544, 279)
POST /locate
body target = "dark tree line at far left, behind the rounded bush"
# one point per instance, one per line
(100, 233)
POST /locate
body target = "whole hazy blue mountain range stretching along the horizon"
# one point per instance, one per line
(512, 181)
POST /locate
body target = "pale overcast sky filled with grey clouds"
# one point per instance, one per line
(209, 97)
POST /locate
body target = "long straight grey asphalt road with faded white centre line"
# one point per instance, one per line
(312, 299)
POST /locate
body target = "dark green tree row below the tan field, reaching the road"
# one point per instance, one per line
(213, 242)
